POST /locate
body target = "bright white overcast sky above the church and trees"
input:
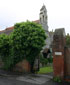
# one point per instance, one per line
(15, 11)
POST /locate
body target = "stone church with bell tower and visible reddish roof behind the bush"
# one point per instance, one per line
(43, 20)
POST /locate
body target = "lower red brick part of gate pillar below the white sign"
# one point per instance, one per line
(58, 66)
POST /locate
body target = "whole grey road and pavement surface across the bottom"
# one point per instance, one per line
(9, 78)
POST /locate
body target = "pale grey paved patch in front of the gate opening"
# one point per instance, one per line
(35, 78)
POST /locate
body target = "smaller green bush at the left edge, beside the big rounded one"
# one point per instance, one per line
(5, 50)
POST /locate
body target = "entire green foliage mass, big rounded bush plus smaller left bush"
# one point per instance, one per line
(25, 42)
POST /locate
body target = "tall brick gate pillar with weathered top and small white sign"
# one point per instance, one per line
(58, 52)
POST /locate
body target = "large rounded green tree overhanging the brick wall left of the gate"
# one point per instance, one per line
(27, 41)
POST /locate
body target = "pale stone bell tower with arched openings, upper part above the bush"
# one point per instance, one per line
(43, 18)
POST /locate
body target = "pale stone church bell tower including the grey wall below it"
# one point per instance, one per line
(44, 22)
